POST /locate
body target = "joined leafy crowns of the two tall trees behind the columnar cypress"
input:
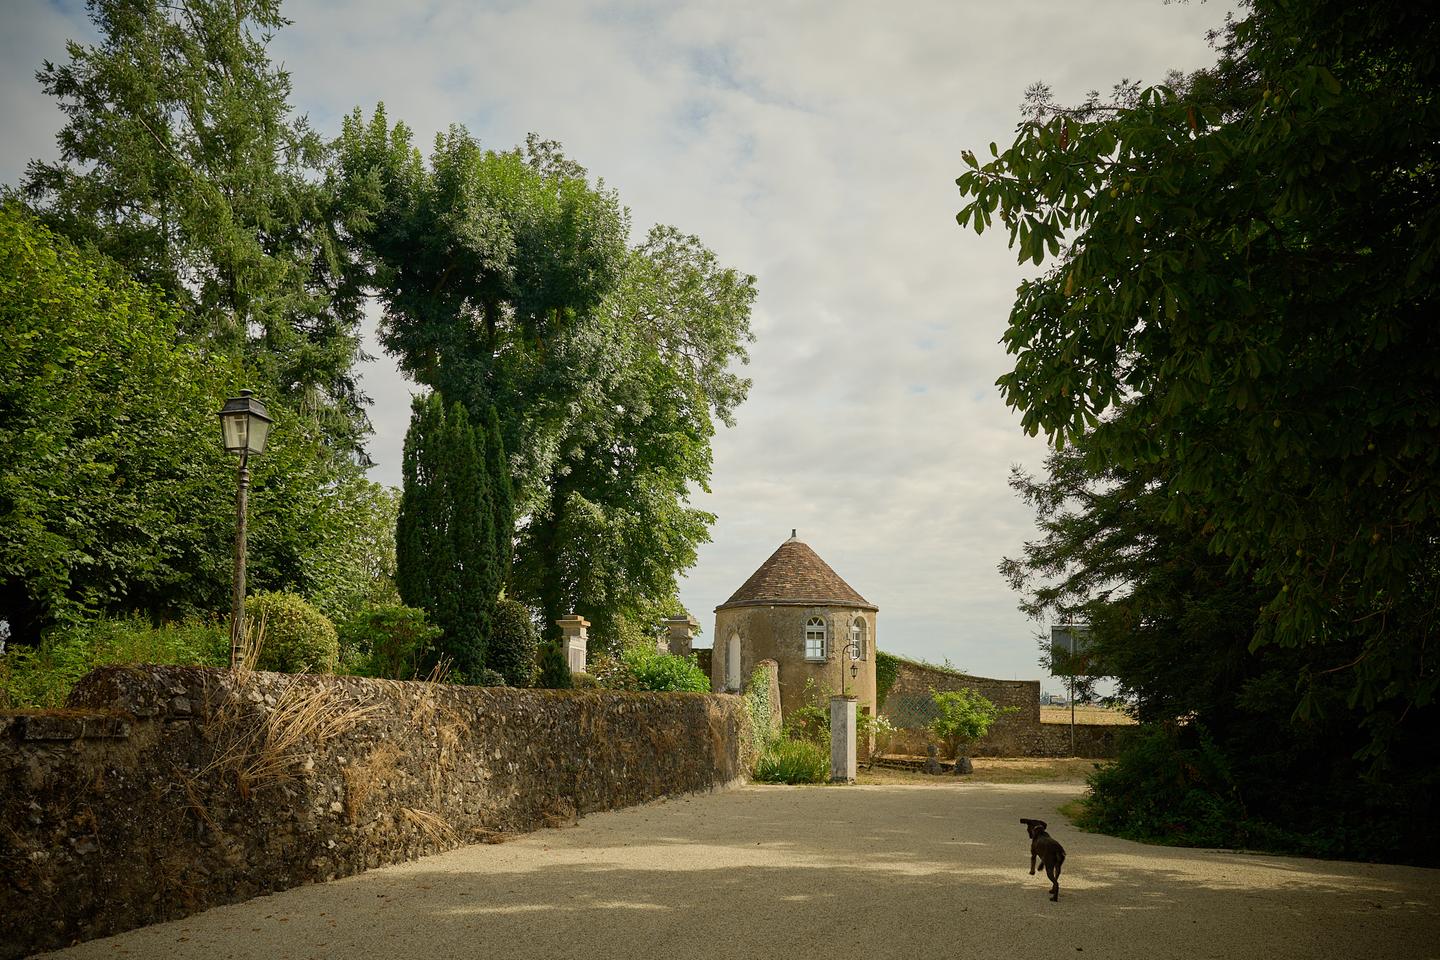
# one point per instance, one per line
(508, 284)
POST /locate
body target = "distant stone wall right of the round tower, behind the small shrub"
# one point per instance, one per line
(1017, 735)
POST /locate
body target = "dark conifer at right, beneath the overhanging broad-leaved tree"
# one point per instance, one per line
(1222, 756)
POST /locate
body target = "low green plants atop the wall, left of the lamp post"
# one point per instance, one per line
(42, 676)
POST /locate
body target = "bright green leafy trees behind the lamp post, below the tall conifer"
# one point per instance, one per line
(114, 492)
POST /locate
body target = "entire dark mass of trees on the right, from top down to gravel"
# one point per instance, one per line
(1233, 352)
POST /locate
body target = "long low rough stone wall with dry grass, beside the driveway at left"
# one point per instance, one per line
(166, 791)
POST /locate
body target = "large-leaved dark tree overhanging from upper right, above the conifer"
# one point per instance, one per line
(1245, 261)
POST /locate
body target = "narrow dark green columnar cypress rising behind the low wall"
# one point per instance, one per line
(446, 543)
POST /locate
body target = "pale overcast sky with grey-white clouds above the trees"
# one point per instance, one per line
(811, 145)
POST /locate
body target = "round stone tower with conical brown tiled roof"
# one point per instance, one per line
(800, 614)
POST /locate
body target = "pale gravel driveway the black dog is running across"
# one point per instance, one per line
(865, 871)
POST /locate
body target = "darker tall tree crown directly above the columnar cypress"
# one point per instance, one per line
(486, 264)
